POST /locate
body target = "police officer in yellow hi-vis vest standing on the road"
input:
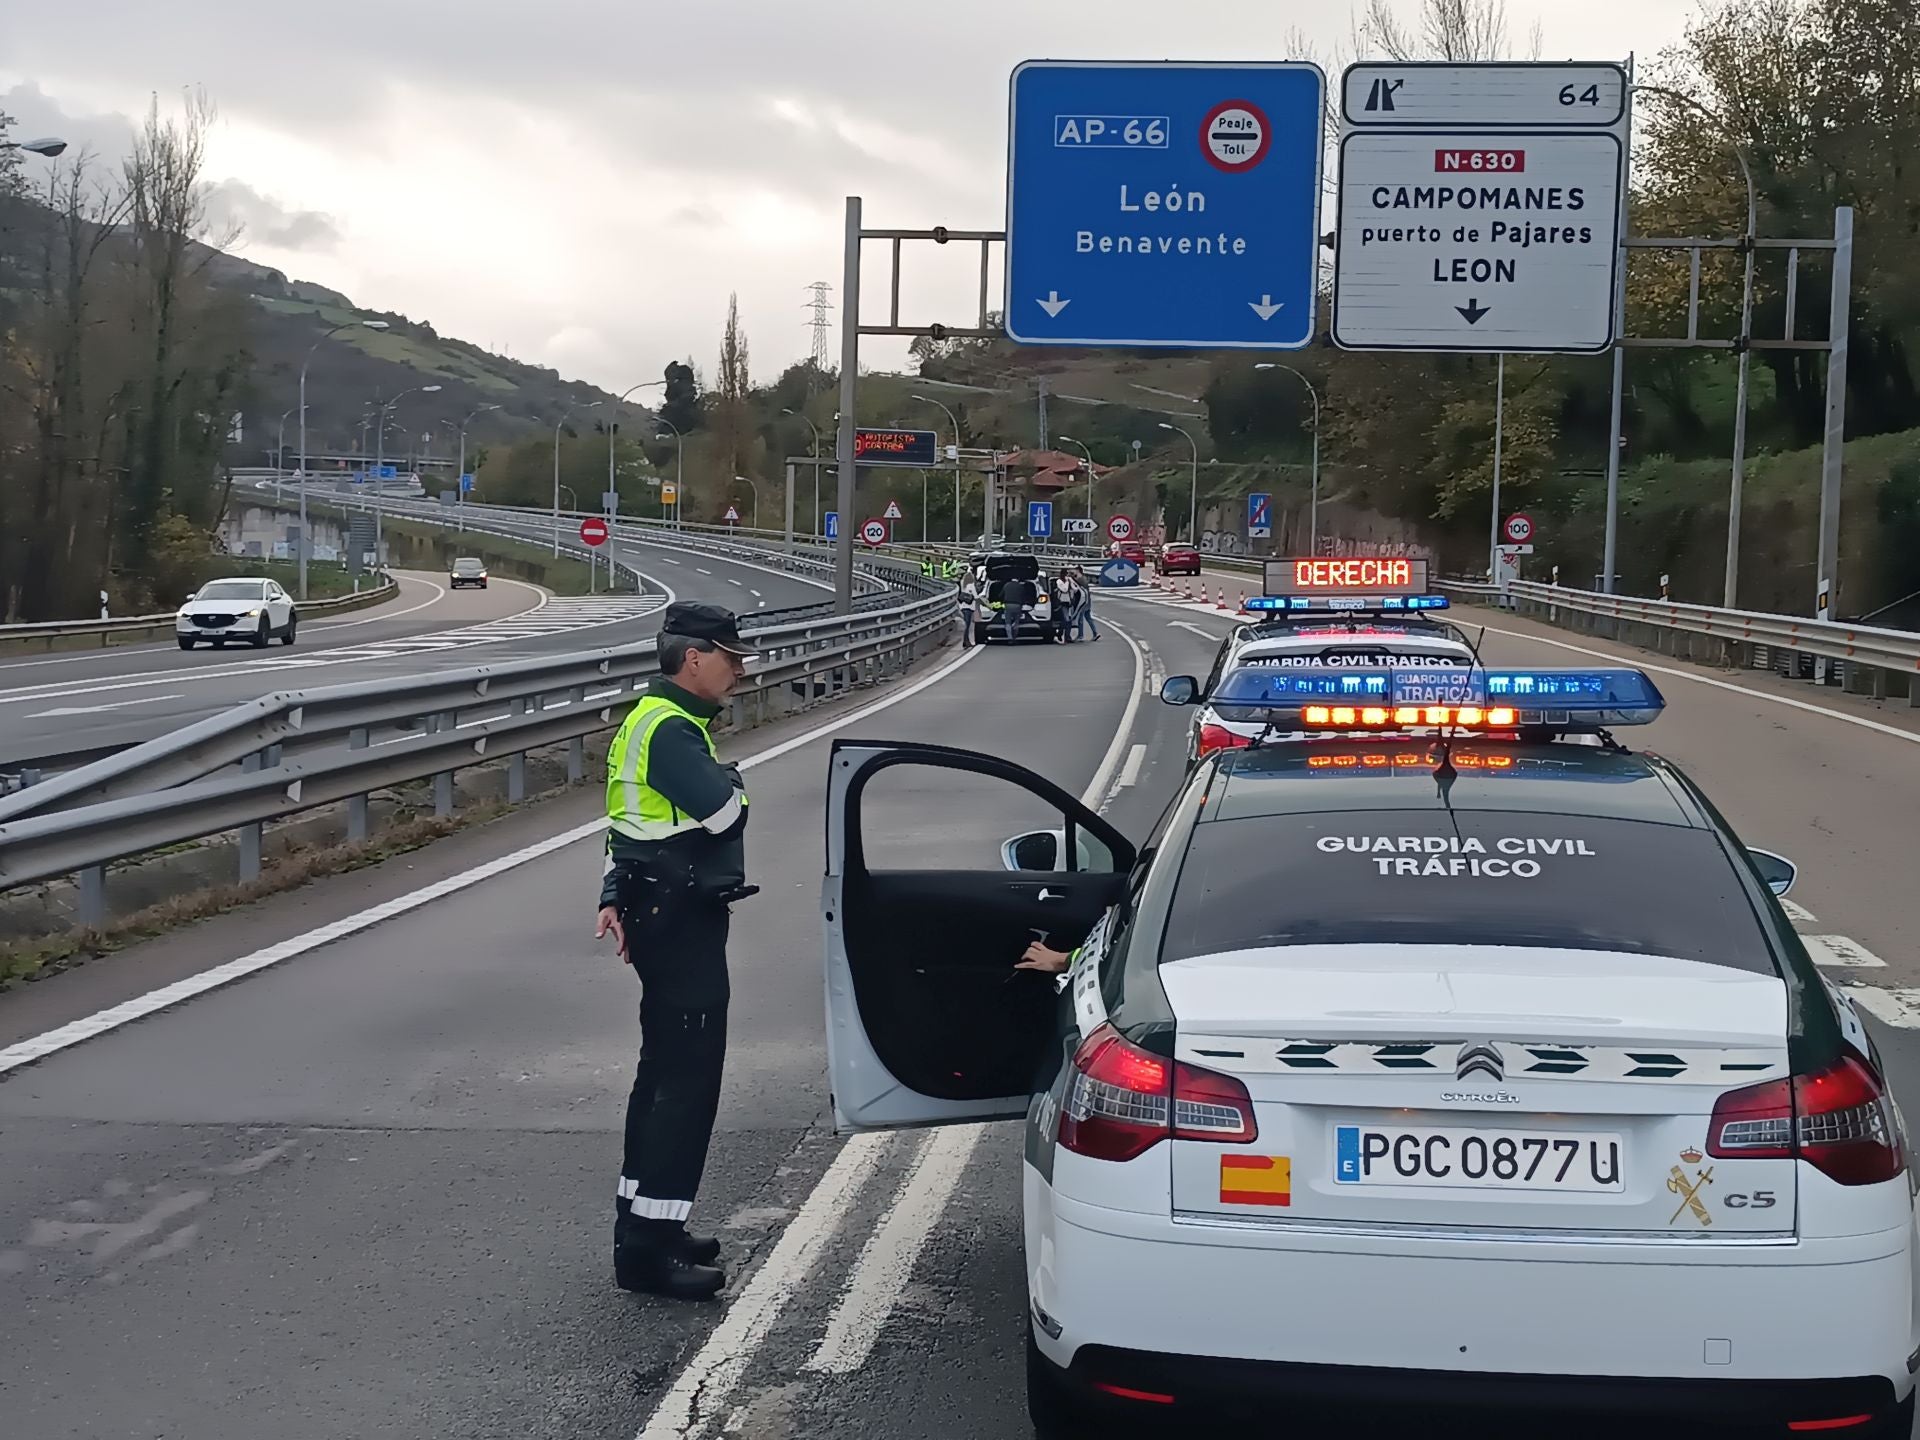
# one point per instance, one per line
(675, 863)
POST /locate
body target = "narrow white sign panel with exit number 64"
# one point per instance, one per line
(1520, 95)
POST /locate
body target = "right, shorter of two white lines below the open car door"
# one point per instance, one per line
(886, 1266)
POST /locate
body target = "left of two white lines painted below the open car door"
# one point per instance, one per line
(719, 1364)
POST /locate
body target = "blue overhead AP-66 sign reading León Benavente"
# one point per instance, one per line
(1164, 204)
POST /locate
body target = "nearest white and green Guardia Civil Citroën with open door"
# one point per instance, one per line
(1456, 1059)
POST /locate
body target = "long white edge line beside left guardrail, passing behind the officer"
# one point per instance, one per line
(53, 1042)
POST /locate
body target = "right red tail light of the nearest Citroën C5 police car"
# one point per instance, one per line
(1838, 1120)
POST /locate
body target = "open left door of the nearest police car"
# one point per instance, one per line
(928, 1020)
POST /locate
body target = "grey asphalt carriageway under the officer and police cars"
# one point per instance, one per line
(366, 1189)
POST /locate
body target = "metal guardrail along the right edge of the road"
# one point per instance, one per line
(1760, 640)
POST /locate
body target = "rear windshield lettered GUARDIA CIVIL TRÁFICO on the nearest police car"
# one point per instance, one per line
(1468, 878)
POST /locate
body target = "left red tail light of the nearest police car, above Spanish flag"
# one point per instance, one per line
(1124, 1101)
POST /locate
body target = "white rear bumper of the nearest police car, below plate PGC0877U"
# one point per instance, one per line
(1648, 1330)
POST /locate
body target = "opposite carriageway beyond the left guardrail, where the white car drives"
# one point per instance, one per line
(95, 700)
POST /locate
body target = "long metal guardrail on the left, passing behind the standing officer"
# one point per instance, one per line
(300, 750)
